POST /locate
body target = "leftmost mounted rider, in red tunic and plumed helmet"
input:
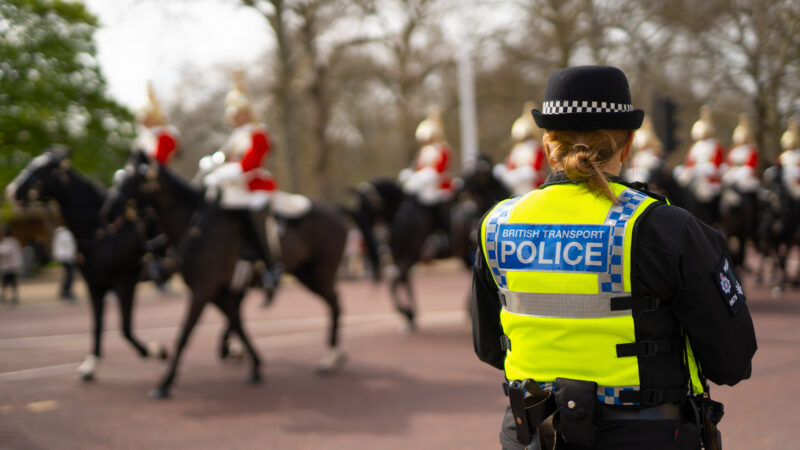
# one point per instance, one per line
(155, 137)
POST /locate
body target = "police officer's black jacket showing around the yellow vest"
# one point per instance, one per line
(677, 259)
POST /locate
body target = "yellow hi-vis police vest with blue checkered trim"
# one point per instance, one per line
(558, 256)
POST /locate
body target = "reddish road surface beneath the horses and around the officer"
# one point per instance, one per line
(396, 391)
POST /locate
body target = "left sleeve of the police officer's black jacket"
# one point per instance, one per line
(485, 312)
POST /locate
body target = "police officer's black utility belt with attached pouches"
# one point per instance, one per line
(572, 409)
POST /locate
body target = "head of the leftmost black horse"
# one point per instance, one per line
(44, 178)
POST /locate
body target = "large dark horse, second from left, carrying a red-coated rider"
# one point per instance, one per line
(211, 242)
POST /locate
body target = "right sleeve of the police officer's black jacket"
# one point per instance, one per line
(722, 338)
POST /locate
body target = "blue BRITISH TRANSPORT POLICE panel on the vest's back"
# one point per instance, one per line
(553, 247)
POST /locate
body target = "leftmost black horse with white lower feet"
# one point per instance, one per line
(109, 257)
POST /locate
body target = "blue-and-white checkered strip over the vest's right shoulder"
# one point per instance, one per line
(618, 216)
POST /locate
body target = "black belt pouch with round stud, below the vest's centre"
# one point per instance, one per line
(576, 402)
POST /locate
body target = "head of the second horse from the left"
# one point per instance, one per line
(133, 185)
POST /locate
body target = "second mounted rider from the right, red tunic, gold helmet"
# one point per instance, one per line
(742, 160)
